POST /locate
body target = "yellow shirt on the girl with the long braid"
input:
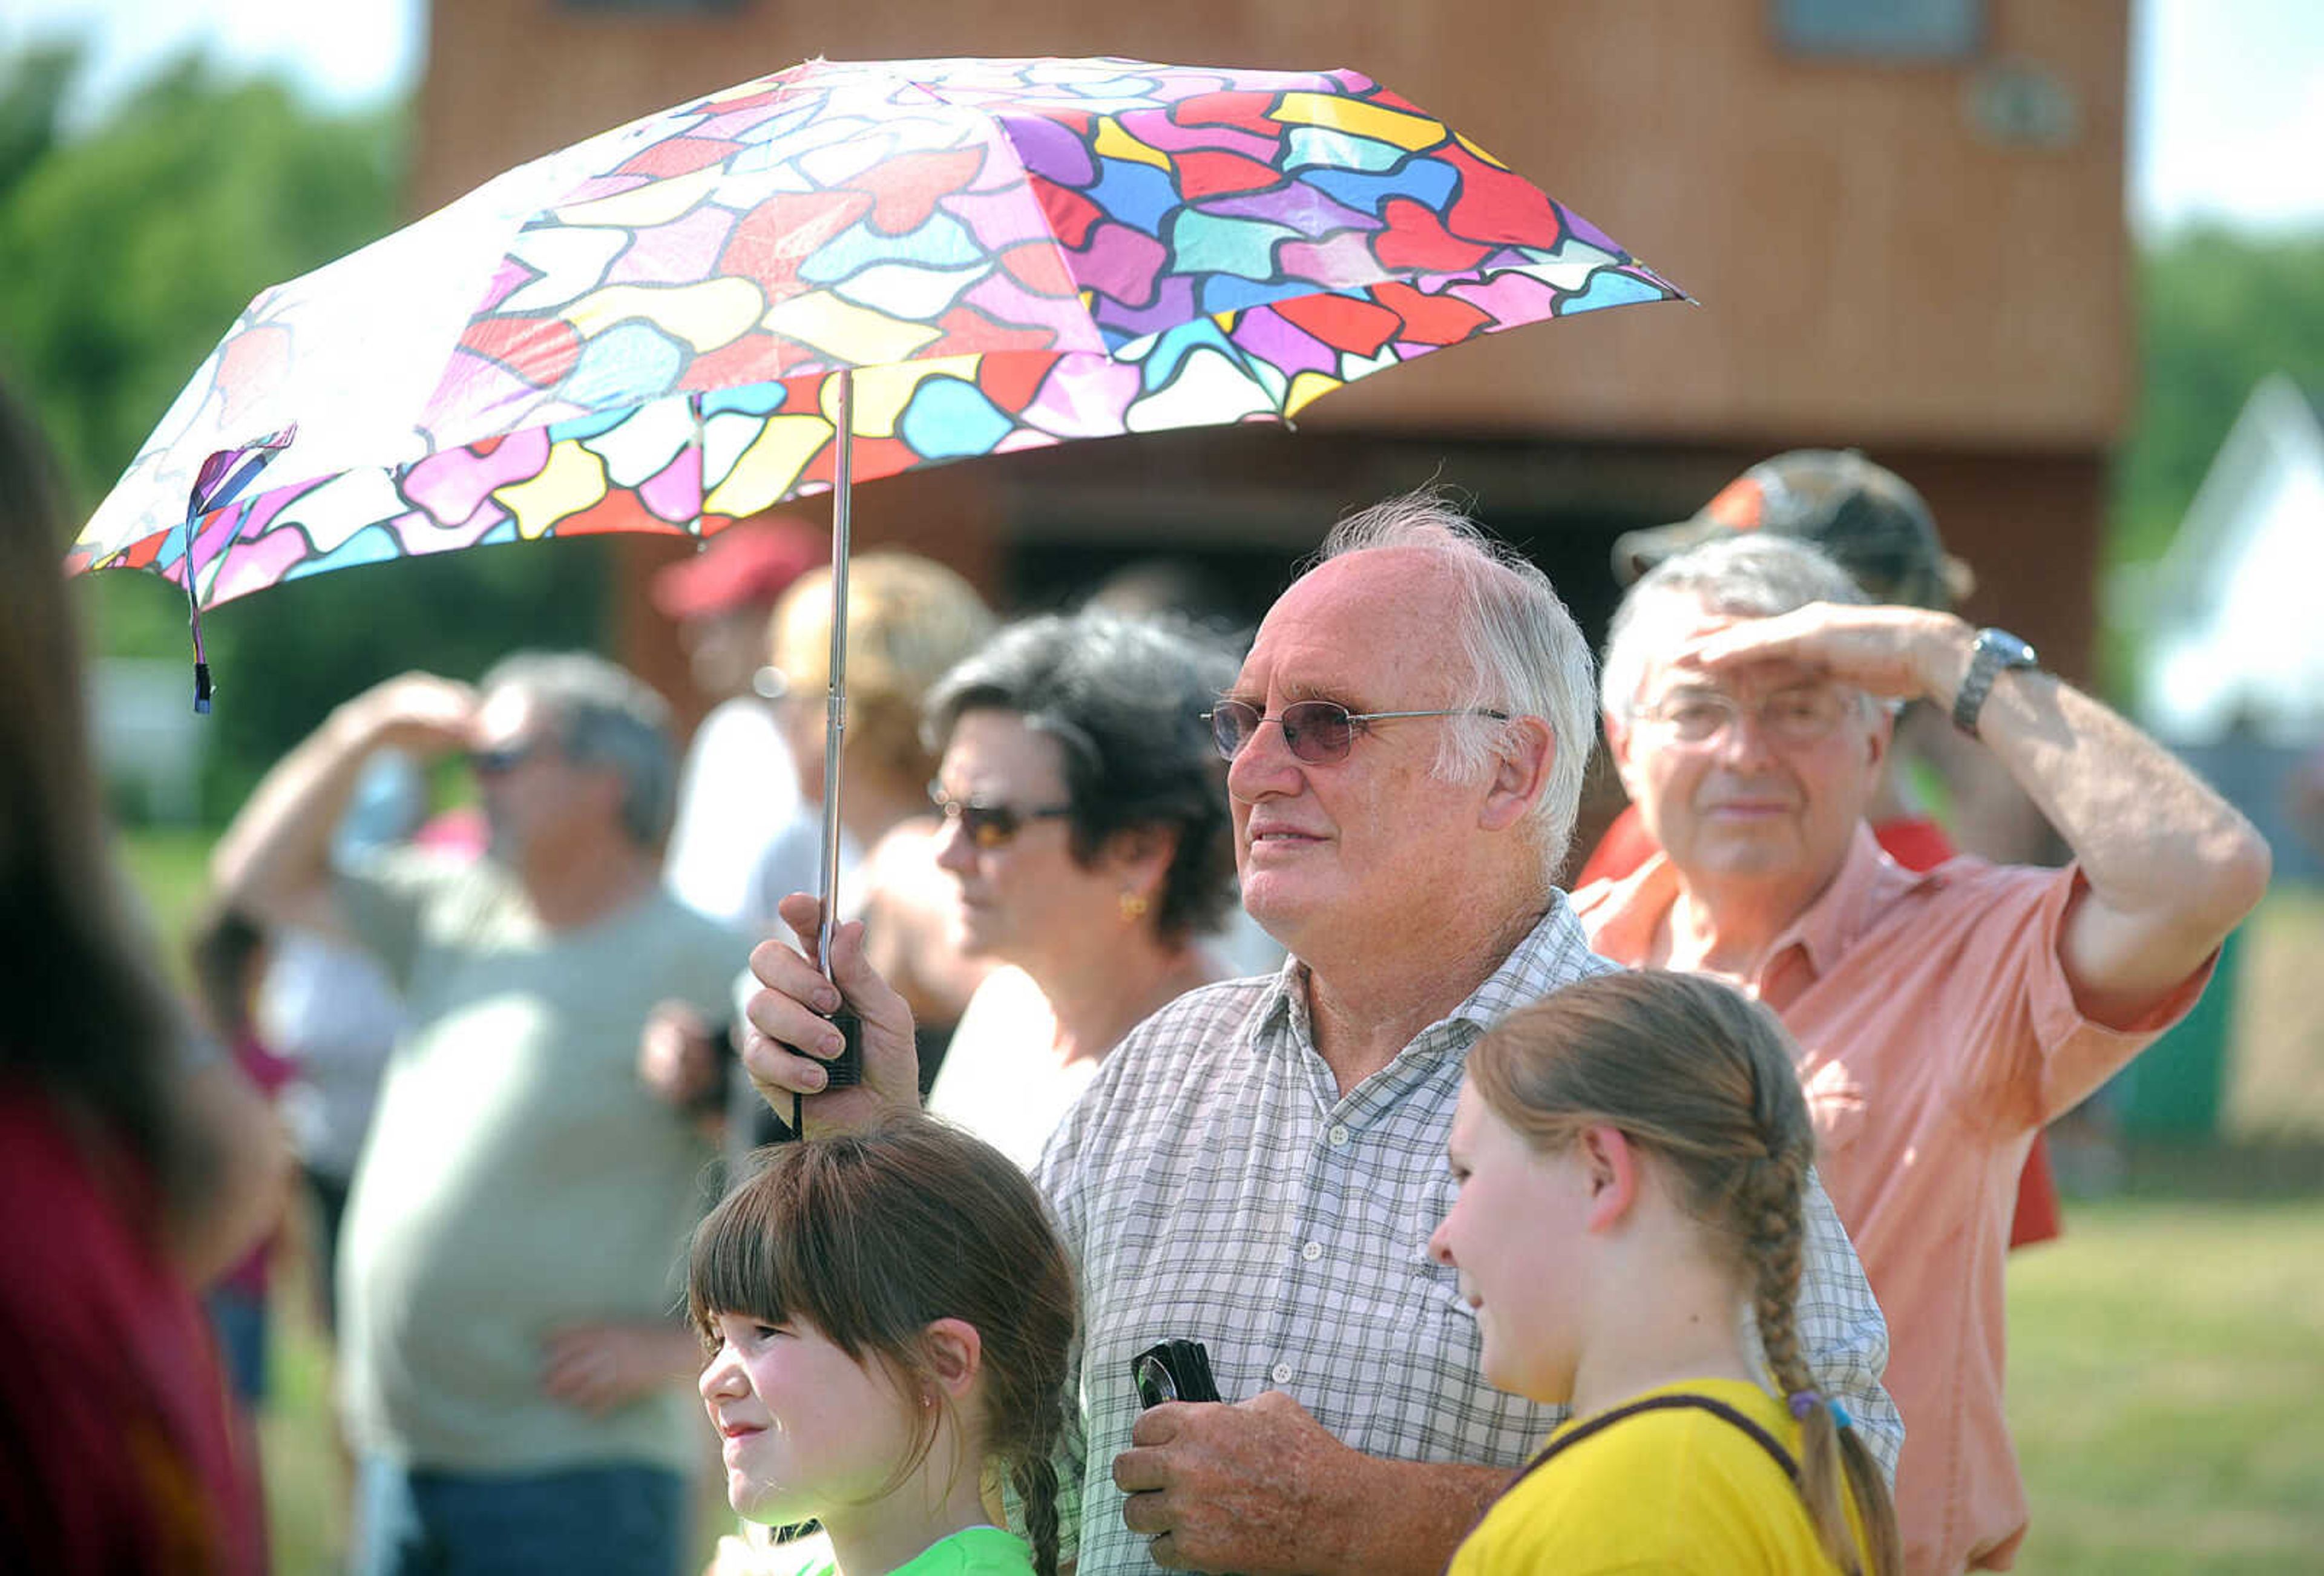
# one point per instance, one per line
(1663, 1491)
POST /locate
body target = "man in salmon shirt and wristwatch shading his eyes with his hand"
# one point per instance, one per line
(1944, 1017)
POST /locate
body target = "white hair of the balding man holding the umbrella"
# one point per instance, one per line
(1523, 654)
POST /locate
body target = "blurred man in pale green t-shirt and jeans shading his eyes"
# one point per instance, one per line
(515, 1175)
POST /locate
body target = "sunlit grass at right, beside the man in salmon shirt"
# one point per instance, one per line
(2167, 1368)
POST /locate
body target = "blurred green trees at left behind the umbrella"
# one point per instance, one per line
(129, 250)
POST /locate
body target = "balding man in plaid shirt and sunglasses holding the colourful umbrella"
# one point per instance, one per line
(1263, 1161)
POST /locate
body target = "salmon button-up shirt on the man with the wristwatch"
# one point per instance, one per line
(1937, 1033)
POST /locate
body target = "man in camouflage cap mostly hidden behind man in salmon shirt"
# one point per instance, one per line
(1874, 524)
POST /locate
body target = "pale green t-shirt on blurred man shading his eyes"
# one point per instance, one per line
(517, 1177)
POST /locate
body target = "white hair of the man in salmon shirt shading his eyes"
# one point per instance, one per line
(1730, 578)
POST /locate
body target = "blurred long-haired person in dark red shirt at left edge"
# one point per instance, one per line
(136, 1161)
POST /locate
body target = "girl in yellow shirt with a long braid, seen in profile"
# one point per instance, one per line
(1630, 1156)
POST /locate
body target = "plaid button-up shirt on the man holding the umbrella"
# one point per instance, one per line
(1217, 1184)
